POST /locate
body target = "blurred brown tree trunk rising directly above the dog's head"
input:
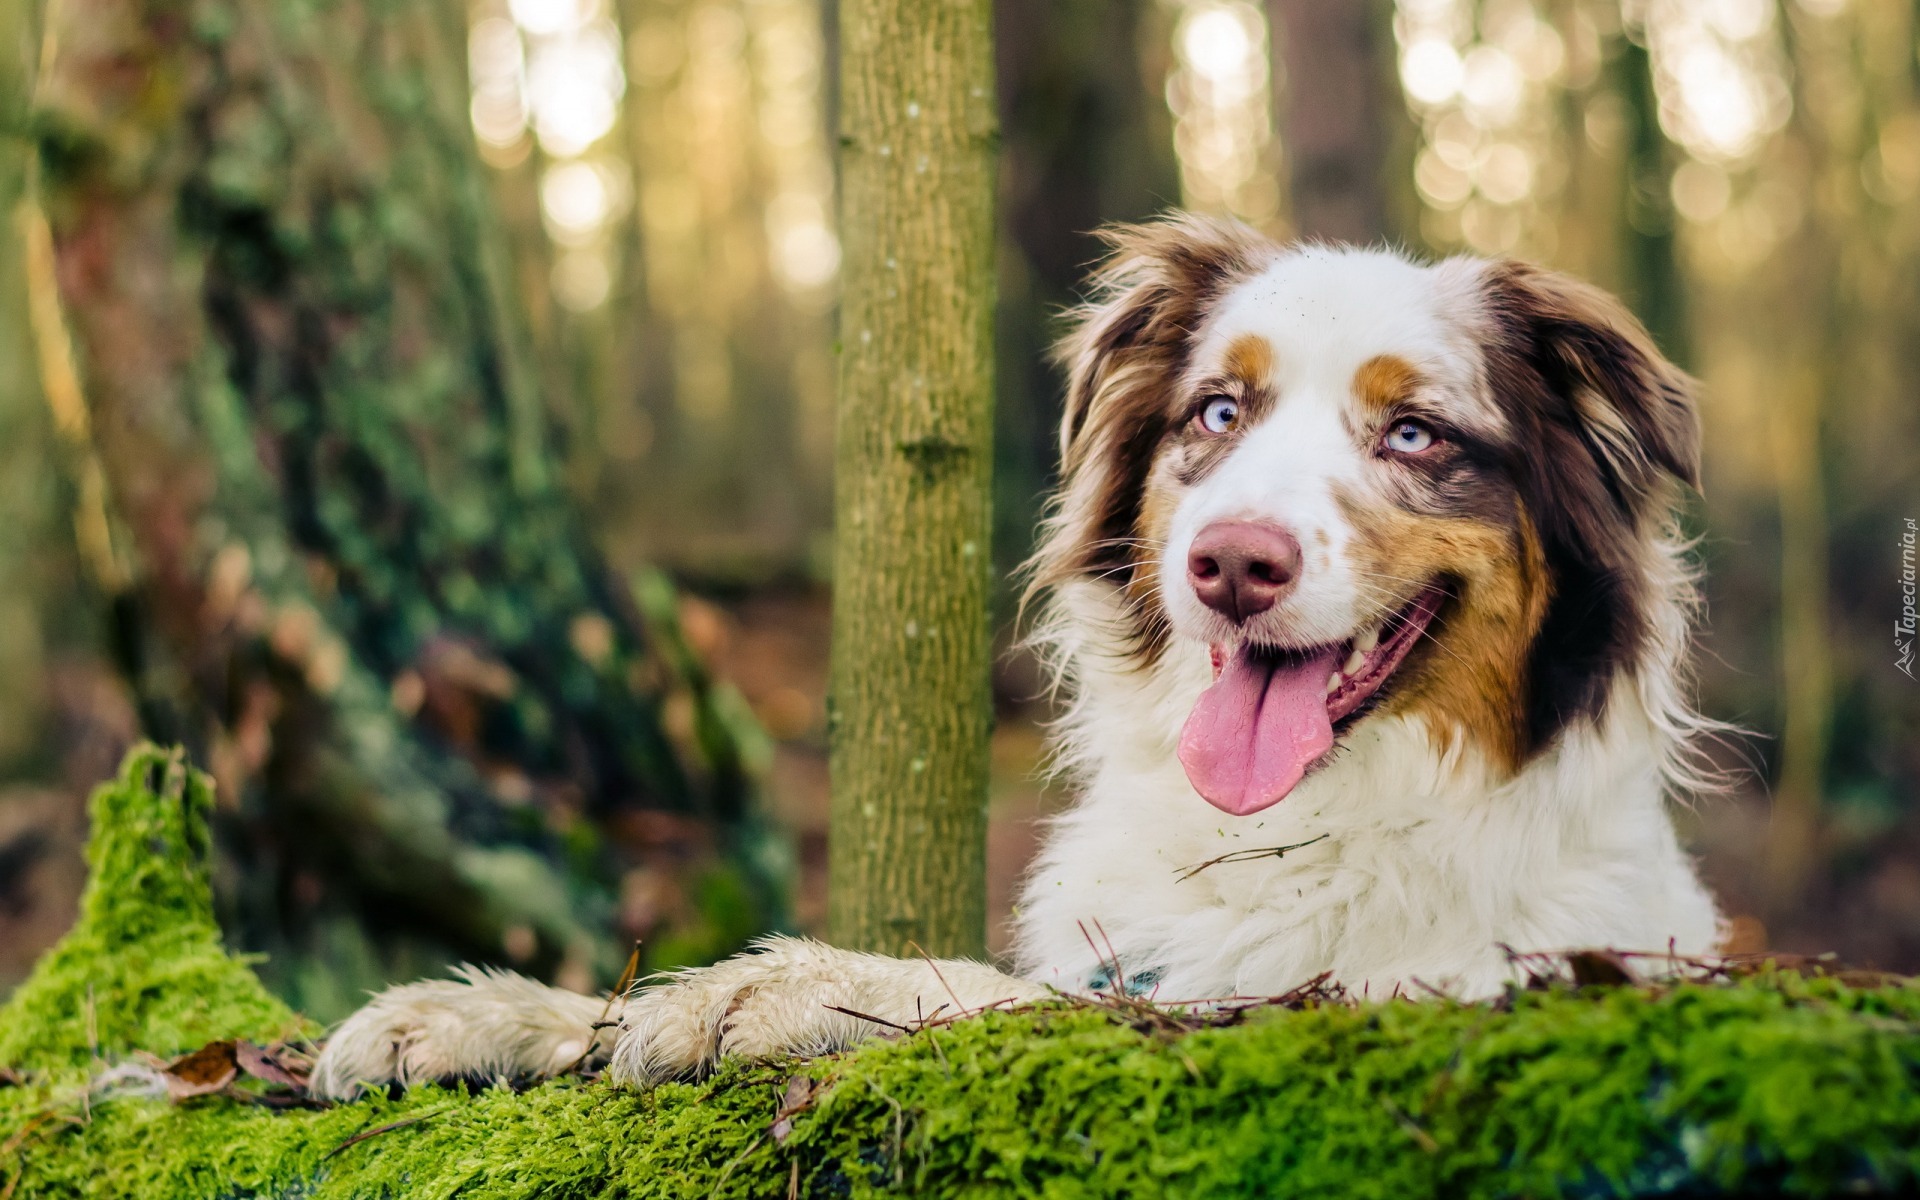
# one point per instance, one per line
(1335, 114)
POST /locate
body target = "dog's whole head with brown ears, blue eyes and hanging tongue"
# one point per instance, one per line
(1370, 487)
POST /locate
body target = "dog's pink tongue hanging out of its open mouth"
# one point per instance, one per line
(1257, 731)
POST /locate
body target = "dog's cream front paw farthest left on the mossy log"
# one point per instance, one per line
(481, 1026)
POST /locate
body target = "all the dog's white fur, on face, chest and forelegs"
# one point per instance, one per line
(1424, 869)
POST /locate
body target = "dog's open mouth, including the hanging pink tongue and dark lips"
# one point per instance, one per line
(1272, 713)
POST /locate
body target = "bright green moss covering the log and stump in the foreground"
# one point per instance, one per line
(1773, 1086)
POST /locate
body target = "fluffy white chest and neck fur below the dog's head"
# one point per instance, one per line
(1431, 863)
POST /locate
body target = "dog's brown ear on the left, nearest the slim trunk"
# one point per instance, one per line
(1147, 302)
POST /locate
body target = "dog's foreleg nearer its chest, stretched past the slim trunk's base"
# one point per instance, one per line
(796, 997)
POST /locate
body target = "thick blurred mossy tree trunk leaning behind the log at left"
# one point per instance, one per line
(341, 560)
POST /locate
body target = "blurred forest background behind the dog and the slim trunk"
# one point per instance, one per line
(519, 654)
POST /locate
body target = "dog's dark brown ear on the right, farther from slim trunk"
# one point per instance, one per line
(1598, 377)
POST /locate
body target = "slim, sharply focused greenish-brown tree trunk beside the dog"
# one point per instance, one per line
(911, 708)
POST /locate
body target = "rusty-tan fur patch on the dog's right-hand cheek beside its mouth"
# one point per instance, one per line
(1470, 679)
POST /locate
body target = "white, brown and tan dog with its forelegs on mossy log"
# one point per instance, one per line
(1368, 602)
